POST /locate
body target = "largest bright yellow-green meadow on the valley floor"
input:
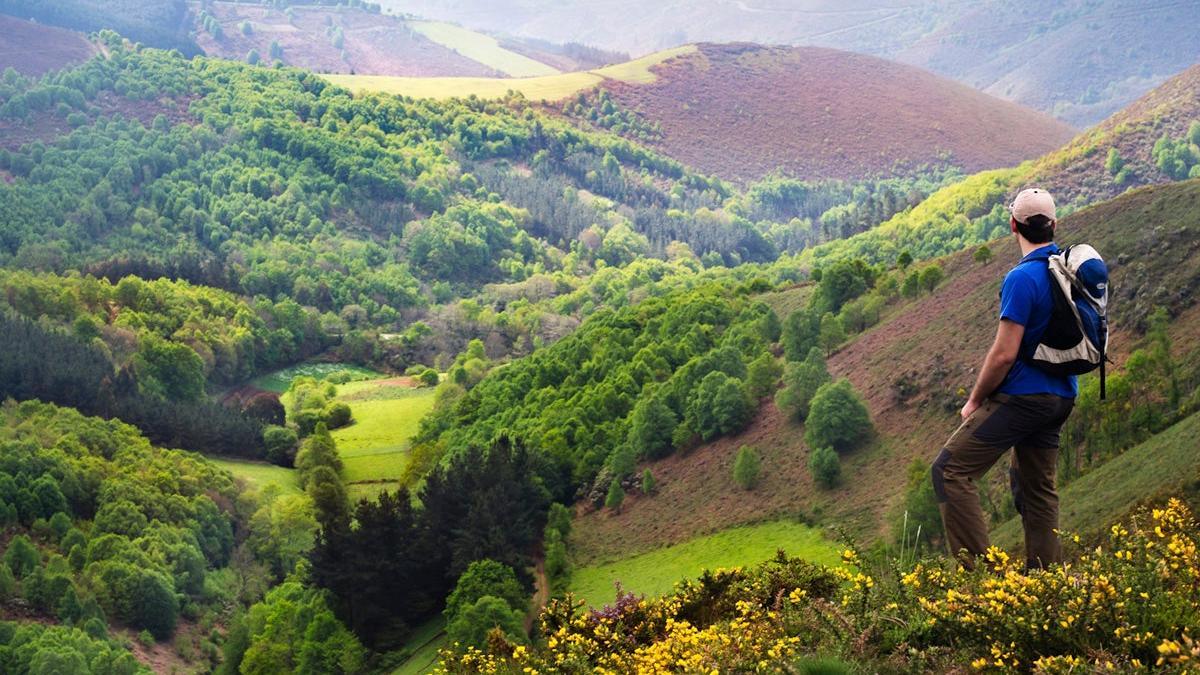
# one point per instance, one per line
(375, 447)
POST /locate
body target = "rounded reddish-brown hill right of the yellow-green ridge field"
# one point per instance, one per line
(742, 111)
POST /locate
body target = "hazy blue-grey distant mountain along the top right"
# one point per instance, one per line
(1079, 59)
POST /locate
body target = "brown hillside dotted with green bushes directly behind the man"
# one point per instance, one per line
(935, 342)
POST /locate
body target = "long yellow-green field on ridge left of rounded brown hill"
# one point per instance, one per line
(547, 88)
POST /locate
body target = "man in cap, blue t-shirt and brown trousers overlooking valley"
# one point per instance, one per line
(1013, 405)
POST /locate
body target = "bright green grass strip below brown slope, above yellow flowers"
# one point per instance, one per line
(657, 572)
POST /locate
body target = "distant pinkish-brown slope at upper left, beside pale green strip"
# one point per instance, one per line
(374, 44)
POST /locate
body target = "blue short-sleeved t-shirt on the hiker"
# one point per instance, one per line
(1027, 300)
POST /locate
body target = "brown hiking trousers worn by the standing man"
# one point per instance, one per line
(1028, 425)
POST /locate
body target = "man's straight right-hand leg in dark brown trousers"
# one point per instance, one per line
(1036, 469)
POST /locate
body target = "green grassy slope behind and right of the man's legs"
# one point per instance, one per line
(1160, 467)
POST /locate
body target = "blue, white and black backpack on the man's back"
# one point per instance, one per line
(1076, 342)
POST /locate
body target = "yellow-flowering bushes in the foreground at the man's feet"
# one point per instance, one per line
(1129, 605)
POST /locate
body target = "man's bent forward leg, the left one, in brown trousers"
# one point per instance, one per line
(963, 462)
